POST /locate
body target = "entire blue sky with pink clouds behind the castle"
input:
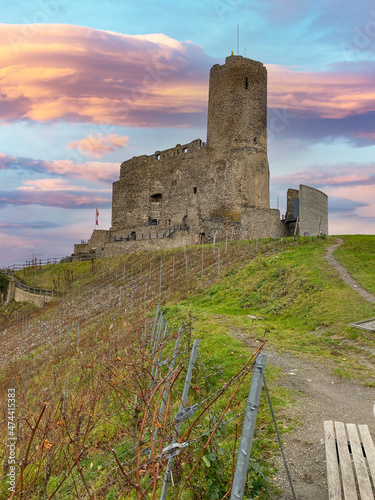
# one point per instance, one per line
(86, 85)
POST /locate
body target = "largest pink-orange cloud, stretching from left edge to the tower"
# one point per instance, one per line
(81, 74)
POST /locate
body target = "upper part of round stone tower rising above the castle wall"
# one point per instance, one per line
(237, 105)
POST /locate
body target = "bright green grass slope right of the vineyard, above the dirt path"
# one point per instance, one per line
(303, 305)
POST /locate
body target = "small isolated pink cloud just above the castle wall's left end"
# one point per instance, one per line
(98, 145)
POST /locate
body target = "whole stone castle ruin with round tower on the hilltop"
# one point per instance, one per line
(202, 191)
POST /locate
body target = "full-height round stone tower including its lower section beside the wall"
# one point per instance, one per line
(237, 124)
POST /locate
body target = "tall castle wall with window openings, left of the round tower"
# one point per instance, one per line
(161, 187)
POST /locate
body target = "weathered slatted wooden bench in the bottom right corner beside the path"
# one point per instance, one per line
(350, 461)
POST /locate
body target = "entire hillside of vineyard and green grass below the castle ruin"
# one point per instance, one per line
(85, 374)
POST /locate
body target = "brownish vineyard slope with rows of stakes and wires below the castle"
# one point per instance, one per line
(100, 382)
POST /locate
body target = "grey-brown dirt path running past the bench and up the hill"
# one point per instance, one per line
(319, 396)
